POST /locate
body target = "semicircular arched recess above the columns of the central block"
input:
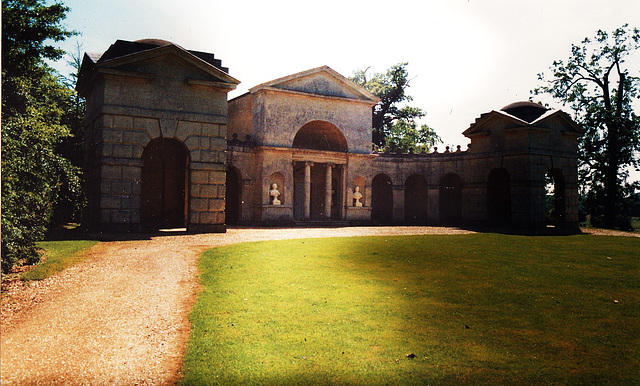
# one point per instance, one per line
(320, 135)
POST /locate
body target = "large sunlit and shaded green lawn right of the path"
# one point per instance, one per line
(480, 308)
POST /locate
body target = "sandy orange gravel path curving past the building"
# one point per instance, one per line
(121, 317)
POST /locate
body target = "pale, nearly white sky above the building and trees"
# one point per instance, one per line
(466, 57)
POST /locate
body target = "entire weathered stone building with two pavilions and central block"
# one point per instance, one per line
(165, 148)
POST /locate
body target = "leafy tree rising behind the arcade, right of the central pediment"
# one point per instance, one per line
(394, 121)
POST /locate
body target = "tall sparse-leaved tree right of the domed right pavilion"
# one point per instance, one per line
(595, 83)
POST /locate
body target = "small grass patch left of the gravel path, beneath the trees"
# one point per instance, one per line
(58, 255)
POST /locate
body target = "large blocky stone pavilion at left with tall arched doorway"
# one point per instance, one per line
(155, 142)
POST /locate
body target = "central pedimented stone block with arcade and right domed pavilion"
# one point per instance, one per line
(499, 180)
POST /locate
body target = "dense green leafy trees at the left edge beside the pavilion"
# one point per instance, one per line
(34, 103)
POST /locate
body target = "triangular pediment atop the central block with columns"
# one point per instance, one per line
(321, 81)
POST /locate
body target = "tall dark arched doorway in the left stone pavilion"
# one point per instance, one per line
(164, 184)
